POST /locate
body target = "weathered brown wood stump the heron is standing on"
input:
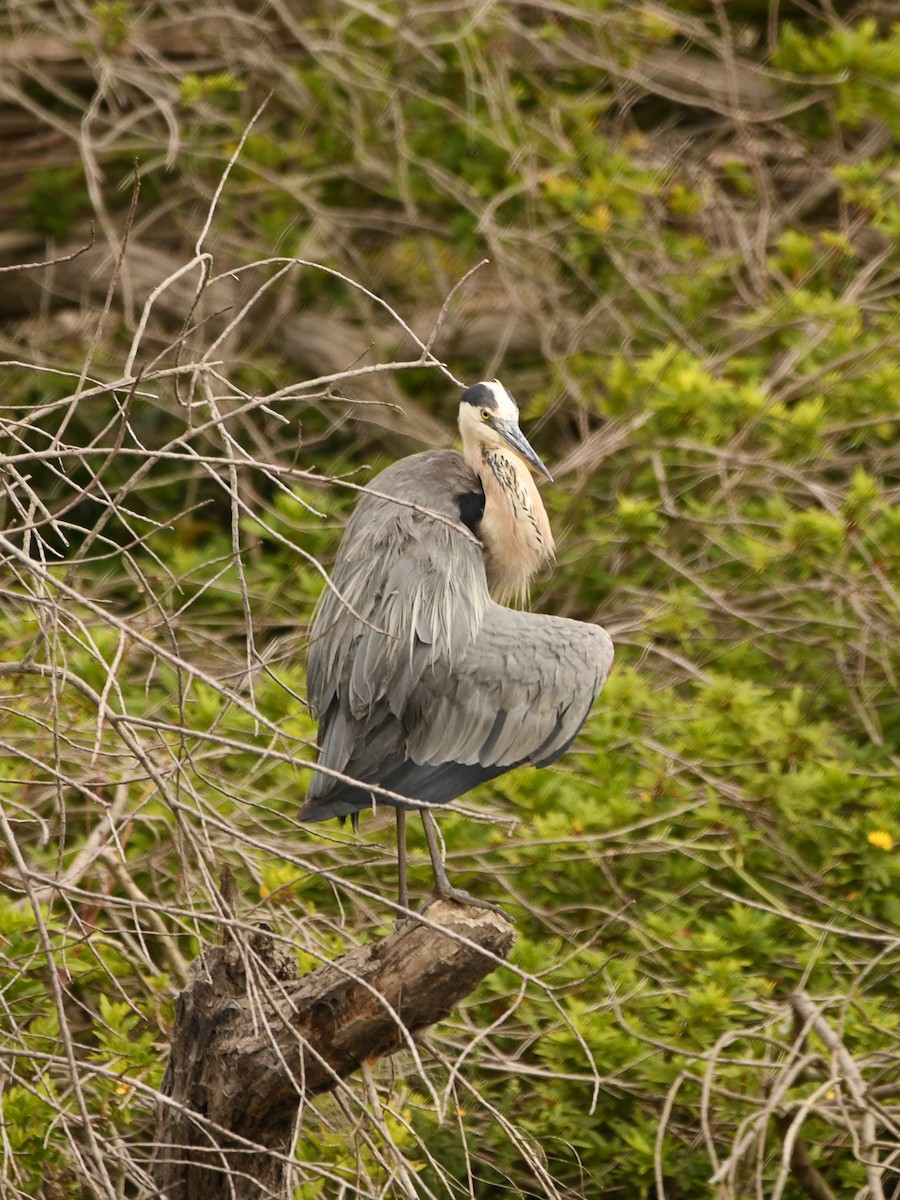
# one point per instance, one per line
(251, 1041)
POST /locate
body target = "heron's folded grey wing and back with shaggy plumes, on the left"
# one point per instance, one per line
(410, 592)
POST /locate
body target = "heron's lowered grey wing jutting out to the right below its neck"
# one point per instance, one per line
(520, 695)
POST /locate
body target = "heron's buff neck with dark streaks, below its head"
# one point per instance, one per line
(515, 530)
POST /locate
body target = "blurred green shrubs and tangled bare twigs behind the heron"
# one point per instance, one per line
(223, 230)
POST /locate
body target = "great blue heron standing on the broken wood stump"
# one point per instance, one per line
(423, 682)
